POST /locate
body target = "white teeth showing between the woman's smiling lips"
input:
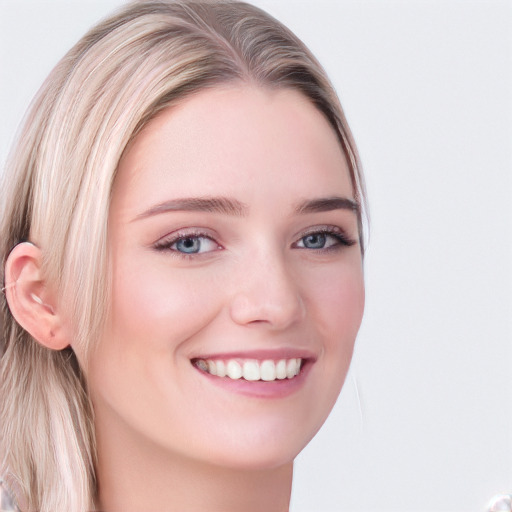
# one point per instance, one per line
(267, 370)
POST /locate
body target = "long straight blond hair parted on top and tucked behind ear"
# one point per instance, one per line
(56, 194)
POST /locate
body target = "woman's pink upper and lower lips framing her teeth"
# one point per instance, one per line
(259, 389)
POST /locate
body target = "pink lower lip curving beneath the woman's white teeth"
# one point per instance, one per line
(261, 389)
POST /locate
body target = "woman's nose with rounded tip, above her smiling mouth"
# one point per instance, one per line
(267, 293)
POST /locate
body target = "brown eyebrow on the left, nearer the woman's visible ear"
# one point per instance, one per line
(223, 205)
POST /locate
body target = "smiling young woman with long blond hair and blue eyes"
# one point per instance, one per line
(182, 248)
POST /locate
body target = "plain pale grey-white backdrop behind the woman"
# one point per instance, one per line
(424, 422)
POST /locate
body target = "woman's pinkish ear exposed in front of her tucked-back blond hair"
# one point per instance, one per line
(30, 300)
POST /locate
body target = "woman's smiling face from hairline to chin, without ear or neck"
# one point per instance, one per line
(234, 248)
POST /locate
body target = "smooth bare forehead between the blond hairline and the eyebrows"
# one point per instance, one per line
(237, 140)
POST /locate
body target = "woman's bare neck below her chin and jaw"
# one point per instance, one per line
(134, 477)
